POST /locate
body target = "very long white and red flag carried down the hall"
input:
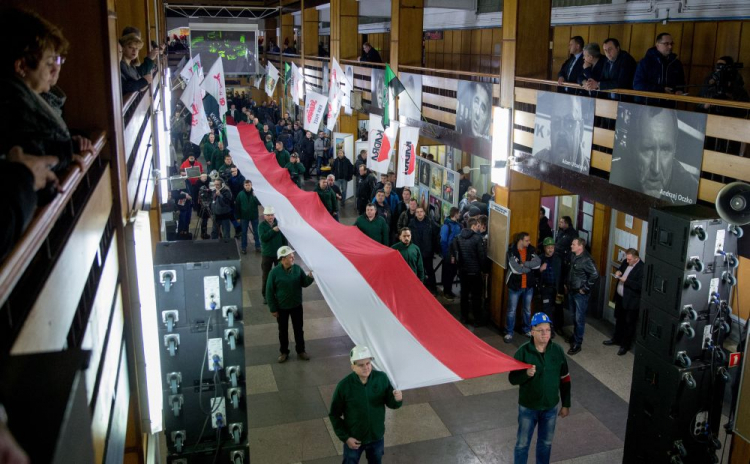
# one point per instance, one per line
(372, 291)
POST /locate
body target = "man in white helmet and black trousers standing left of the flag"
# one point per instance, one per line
(284, 293)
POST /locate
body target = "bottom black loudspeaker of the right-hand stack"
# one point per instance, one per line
(675, 412)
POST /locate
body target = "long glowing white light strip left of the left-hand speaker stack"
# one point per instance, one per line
(149, 332)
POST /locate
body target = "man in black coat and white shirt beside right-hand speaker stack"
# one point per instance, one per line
(627, 301)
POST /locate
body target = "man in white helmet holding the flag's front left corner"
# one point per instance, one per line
(358, 408)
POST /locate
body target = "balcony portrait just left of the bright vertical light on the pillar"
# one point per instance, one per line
(474, 109)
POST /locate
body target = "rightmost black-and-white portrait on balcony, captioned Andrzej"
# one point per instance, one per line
(659, 152)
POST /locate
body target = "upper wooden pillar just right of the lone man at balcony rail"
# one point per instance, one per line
(407, 17)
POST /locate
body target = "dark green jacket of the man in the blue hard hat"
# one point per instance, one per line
(551, 381)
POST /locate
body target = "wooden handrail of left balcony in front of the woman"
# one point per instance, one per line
(38, 230)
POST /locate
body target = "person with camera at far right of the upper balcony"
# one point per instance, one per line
(724, 83)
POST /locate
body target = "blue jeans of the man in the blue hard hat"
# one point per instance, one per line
(528, 419)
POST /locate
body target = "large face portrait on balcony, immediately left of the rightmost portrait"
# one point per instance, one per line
(564, 130)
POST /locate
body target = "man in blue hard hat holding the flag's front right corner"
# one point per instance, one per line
(541, 387)
